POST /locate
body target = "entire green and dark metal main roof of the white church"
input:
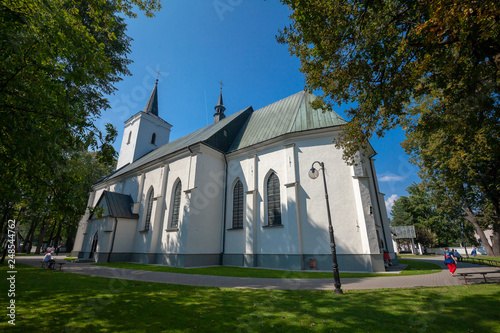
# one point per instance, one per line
(246, 128)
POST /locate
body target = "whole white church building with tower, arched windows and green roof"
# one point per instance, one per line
(237, 192)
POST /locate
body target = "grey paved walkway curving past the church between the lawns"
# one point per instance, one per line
(442, 278)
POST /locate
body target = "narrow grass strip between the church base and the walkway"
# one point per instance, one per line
(414, 268)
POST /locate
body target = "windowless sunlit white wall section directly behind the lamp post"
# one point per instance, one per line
(341, 198)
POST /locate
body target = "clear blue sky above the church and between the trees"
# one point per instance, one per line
(194, 44)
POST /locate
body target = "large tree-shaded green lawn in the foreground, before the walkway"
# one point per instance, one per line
(52, 301)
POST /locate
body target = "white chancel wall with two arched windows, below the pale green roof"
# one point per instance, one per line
(304, 214)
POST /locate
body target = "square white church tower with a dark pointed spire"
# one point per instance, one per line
(144, 132)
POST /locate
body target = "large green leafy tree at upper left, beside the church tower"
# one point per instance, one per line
(58, 59)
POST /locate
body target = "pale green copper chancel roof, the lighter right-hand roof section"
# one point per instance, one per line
(291, 114)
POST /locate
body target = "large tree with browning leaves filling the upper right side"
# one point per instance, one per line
(432, 67)
